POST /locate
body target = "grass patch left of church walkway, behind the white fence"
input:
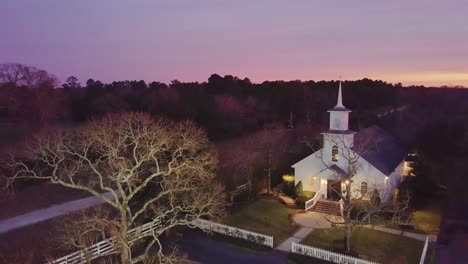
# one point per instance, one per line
(266, 216)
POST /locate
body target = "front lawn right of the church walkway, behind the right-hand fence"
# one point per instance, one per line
(370, 244)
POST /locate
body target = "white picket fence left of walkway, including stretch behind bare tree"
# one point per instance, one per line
(107, 247)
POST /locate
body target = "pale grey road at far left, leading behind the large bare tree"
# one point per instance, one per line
(48, 213)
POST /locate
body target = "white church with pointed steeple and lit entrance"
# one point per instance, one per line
(375, 158)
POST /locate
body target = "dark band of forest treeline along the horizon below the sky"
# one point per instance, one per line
(225, 106)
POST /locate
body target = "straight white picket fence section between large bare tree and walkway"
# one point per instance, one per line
(235, 232)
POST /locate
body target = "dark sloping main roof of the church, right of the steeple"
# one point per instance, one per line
(379, 148)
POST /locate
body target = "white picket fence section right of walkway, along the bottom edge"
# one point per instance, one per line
(327, 255)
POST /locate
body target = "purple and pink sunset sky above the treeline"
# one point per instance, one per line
(413, 42)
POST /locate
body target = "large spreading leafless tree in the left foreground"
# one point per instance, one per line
(154, 170)
